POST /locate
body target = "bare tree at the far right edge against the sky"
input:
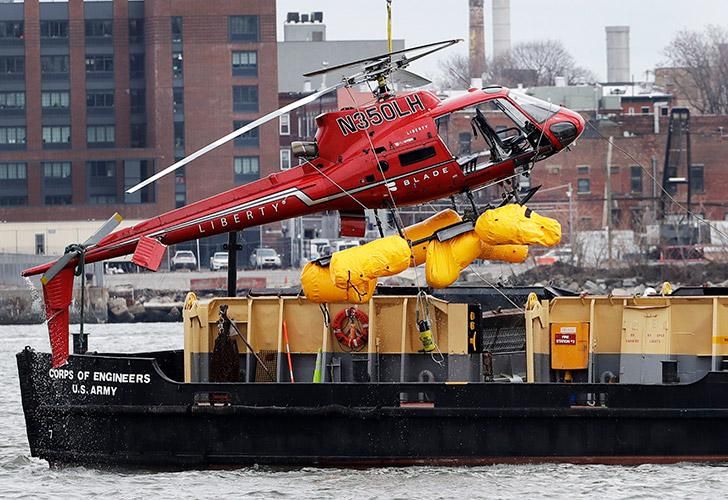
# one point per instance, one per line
(700, 61)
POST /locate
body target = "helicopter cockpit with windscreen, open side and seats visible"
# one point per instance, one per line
(493, 131)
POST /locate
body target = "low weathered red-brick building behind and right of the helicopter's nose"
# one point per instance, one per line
(634, 194)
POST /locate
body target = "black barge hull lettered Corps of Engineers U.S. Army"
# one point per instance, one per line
(126, 410)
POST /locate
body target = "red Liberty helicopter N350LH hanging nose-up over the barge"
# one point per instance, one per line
(388, 153)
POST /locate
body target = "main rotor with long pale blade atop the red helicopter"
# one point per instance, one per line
(377, 69)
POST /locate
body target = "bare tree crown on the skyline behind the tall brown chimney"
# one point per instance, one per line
(529, 63)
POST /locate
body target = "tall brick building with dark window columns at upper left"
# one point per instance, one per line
(96, 96)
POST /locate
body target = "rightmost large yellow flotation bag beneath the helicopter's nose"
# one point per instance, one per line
(517, 225)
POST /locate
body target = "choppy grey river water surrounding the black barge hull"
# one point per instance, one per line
(24, 477)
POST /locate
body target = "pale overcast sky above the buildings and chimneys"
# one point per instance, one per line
(579, 24)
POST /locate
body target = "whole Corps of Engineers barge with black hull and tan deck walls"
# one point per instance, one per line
(262, 379)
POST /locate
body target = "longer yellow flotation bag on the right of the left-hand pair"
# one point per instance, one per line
(358, 265)
